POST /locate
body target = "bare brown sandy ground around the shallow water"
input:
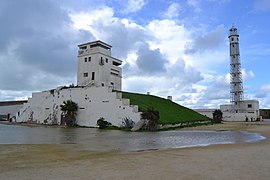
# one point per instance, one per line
(232, 161)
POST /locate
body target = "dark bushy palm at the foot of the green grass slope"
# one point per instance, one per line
(152, 117)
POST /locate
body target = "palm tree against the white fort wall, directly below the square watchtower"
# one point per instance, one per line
(70, 110)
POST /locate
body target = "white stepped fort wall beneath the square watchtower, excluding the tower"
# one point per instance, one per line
(93, 103)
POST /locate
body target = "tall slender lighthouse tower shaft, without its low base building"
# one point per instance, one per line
(235, 72)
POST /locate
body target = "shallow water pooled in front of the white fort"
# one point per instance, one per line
(113, 140)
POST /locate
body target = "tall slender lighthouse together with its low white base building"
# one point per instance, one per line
(239, 109)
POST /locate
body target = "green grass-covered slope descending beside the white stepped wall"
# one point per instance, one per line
(170, 112)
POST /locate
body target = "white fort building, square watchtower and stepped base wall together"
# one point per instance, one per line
(98, 75)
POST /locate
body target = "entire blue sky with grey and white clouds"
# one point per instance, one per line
(177, 48)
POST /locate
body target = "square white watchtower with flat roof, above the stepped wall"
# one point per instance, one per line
(96, 66)
